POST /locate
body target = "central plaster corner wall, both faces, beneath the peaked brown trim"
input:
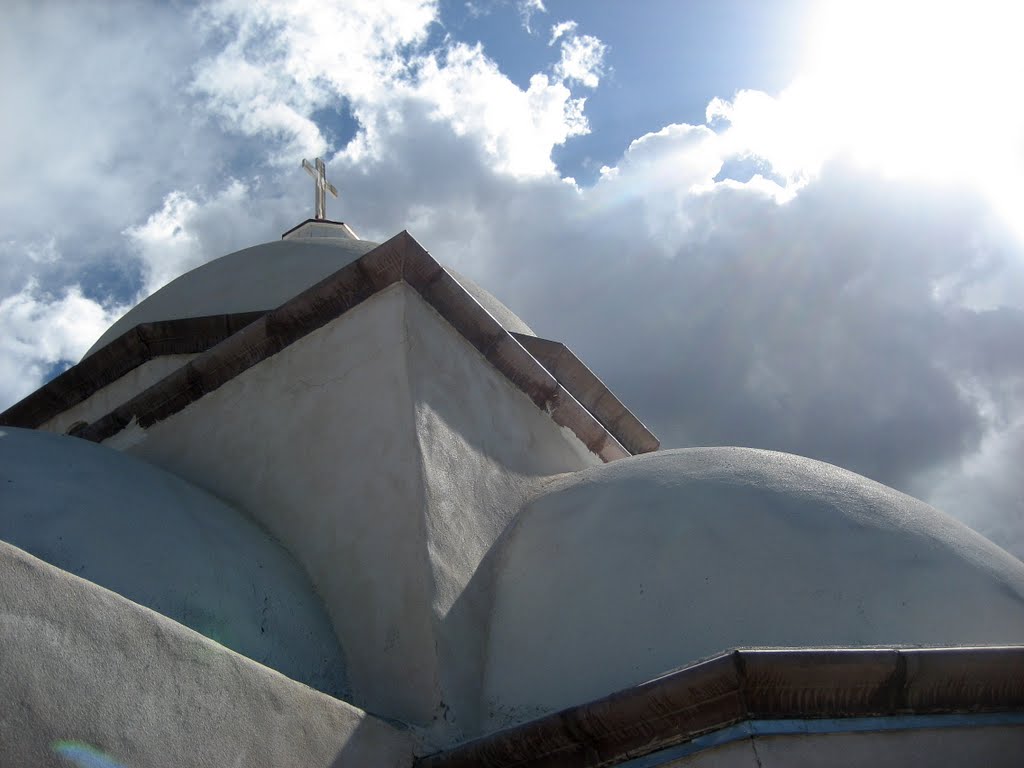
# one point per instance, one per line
(388, 455)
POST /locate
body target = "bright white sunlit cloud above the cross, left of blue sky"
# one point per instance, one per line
(284, 62)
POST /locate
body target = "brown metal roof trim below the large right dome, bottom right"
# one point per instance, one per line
(754, 685)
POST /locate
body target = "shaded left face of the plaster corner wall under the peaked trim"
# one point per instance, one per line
(317, 444)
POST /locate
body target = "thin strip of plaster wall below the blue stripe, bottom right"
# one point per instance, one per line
(994, 747)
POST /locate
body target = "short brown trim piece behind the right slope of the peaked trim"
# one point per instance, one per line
(592, 394)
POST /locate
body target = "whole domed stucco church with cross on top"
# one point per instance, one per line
(326, 502)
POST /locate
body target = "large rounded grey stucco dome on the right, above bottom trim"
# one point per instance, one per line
(620, 573)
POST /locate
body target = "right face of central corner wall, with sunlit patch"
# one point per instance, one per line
(484, 446)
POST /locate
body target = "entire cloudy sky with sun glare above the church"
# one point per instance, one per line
(793, 226)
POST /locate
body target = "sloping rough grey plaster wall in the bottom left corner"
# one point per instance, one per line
(80, 664)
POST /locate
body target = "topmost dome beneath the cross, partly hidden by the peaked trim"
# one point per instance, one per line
(263, 278)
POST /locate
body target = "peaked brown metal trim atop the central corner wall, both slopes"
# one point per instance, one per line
(401, 259)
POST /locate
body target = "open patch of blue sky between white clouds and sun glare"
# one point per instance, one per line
(666, 60)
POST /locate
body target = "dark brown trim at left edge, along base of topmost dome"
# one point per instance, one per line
(129, 352)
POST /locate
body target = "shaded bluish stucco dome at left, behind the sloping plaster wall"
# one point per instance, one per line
(165, 544)
